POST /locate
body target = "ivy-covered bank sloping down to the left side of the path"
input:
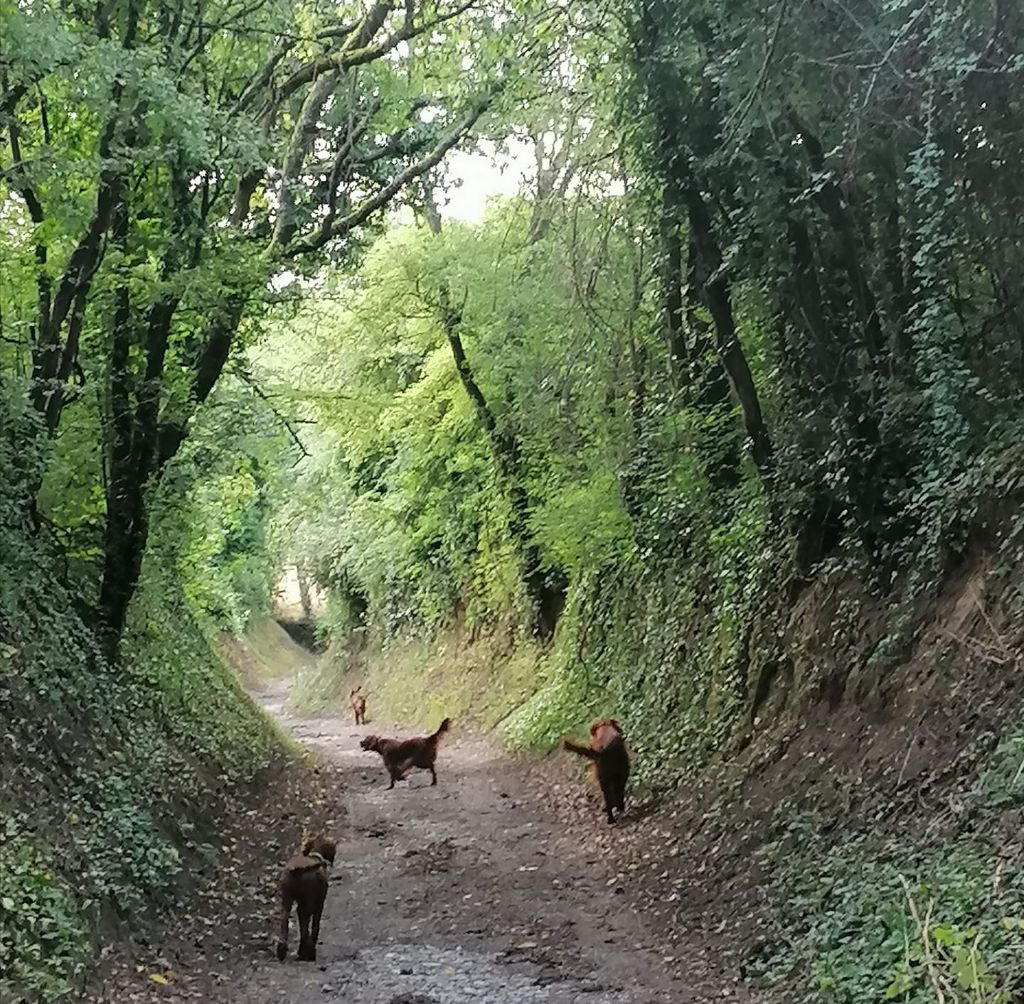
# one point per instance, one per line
(110, 775)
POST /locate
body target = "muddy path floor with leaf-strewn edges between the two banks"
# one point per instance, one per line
(493, 887)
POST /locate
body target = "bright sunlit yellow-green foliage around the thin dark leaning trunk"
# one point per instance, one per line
(403, 499)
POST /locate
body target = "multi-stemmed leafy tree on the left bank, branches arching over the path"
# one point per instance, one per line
(236, 146)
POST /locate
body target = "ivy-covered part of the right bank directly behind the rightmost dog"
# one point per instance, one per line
(660, 652)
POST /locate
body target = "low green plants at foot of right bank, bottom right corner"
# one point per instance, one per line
(905, 921)
